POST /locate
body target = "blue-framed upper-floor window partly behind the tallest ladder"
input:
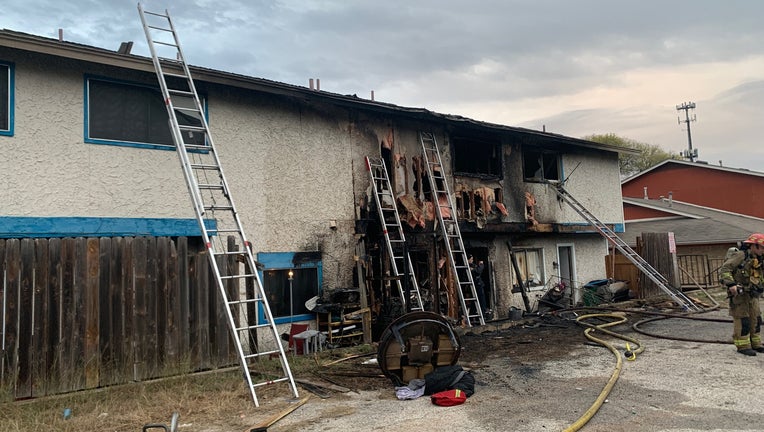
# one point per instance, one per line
(122, 113)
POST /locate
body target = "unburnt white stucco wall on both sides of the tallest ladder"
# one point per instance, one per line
(288, 167)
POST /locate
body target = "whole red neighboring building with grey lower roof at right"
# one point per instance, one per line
(709, 208)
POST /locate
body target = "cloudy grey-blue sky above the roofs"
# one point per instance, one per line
(572, 67)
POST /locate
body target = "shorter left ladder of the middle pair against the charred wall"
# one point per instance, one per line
(392, 229)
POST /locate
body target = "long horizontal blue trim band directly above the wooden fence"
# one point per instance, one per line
(44, 227)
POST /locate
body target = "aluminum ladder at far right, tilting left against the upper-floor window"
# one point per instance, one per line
(659, 280)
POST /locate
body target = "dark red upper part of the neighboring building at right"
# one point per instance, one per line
(729, 189)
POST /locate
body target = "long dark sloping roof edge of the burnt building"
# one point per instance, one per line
(71, 50)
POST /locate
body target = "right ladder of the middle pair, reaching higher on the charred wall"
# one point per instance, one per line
(452, 236)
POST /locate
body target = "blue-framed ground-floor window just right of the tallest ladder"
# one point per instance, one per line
(286, 297)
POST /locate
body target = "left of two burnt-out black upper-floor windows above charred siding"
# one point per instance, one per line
(477, 157)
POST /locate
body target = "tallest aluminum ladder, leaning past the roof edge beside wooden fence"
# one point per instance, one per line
(243, 294)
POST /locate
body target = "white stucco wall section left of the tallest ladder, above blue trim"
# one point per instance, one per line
(50, 171)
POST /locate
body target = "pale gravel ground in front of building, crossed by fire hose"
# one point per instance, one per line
(545, 377)
